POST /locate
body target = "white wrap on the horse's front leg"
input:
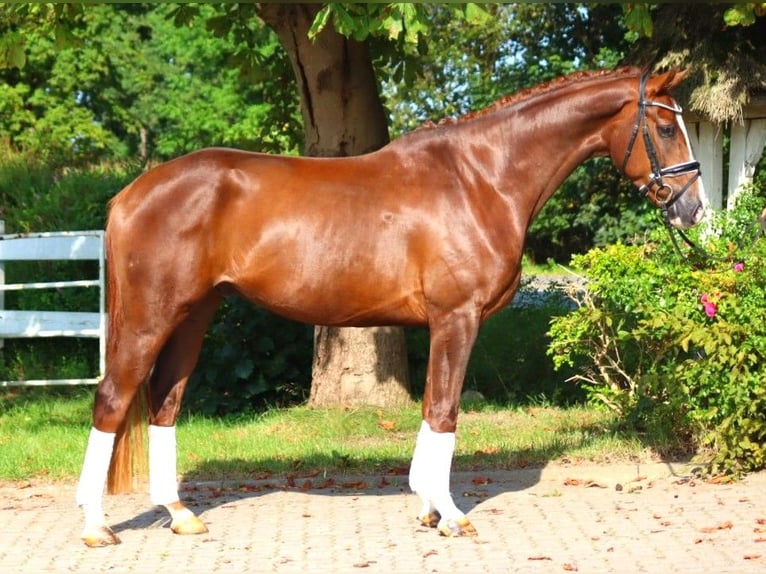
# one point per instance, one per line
(430, 471)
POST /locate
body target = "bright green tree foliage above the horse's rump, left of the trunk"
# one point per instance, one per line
(130, 83)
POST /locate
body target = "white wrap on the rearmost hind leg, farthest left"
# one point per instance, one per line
(90, 489)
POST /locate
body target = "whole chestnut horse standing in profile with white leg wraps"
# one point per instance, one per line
(426, 231)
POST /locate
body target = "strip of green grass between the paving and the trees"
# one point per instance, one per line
(43, 434)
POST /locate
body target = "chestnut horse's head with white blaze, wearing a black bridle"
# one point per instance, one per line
(654, 152)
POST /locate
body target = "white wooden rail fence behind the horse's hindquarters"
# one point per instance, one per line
(15, 324)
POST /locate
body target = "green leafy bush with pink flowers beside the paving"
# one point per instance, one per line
(676, 342)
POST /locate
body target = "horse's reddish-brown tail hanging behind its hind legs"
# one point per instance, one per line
(129, 452)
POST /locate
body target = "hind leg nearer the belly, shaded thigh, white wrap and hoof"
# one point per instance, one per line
(168, 381)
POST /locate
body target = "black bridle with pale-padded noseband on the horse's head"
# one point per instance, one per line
(665, 194)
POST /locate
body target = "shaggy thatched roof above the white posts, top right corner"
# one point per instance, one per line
(727, 64)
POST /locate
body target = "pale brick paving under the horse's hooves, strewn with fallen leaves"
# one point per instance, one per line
(570, 518)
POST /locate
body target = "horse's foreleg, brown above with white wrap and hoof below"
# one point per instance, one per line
(452, 339)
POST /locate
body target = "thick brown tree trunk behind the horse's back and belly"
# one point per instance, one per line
(342, 115)
